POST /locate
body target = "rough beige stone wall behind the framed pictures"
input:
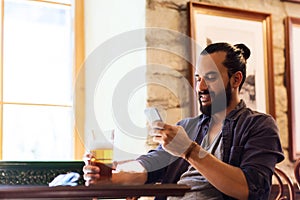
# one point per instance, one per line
(173, 15)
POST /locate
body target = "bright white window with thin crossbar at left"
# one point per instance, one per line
(37, 77)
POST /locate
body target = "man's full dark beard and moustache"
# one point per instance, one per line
(218, 104)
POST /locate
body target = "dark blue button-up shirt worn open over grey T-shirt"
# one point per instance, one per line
(250, 141)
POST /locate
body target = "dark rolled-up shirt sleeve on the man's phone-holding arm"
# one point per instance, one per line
(258, 155)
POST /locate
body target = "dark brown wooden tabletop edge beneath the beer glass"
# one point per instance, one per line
(107, 191)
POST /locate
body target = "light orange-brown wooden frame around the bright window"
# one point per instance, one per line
(79, 55)
